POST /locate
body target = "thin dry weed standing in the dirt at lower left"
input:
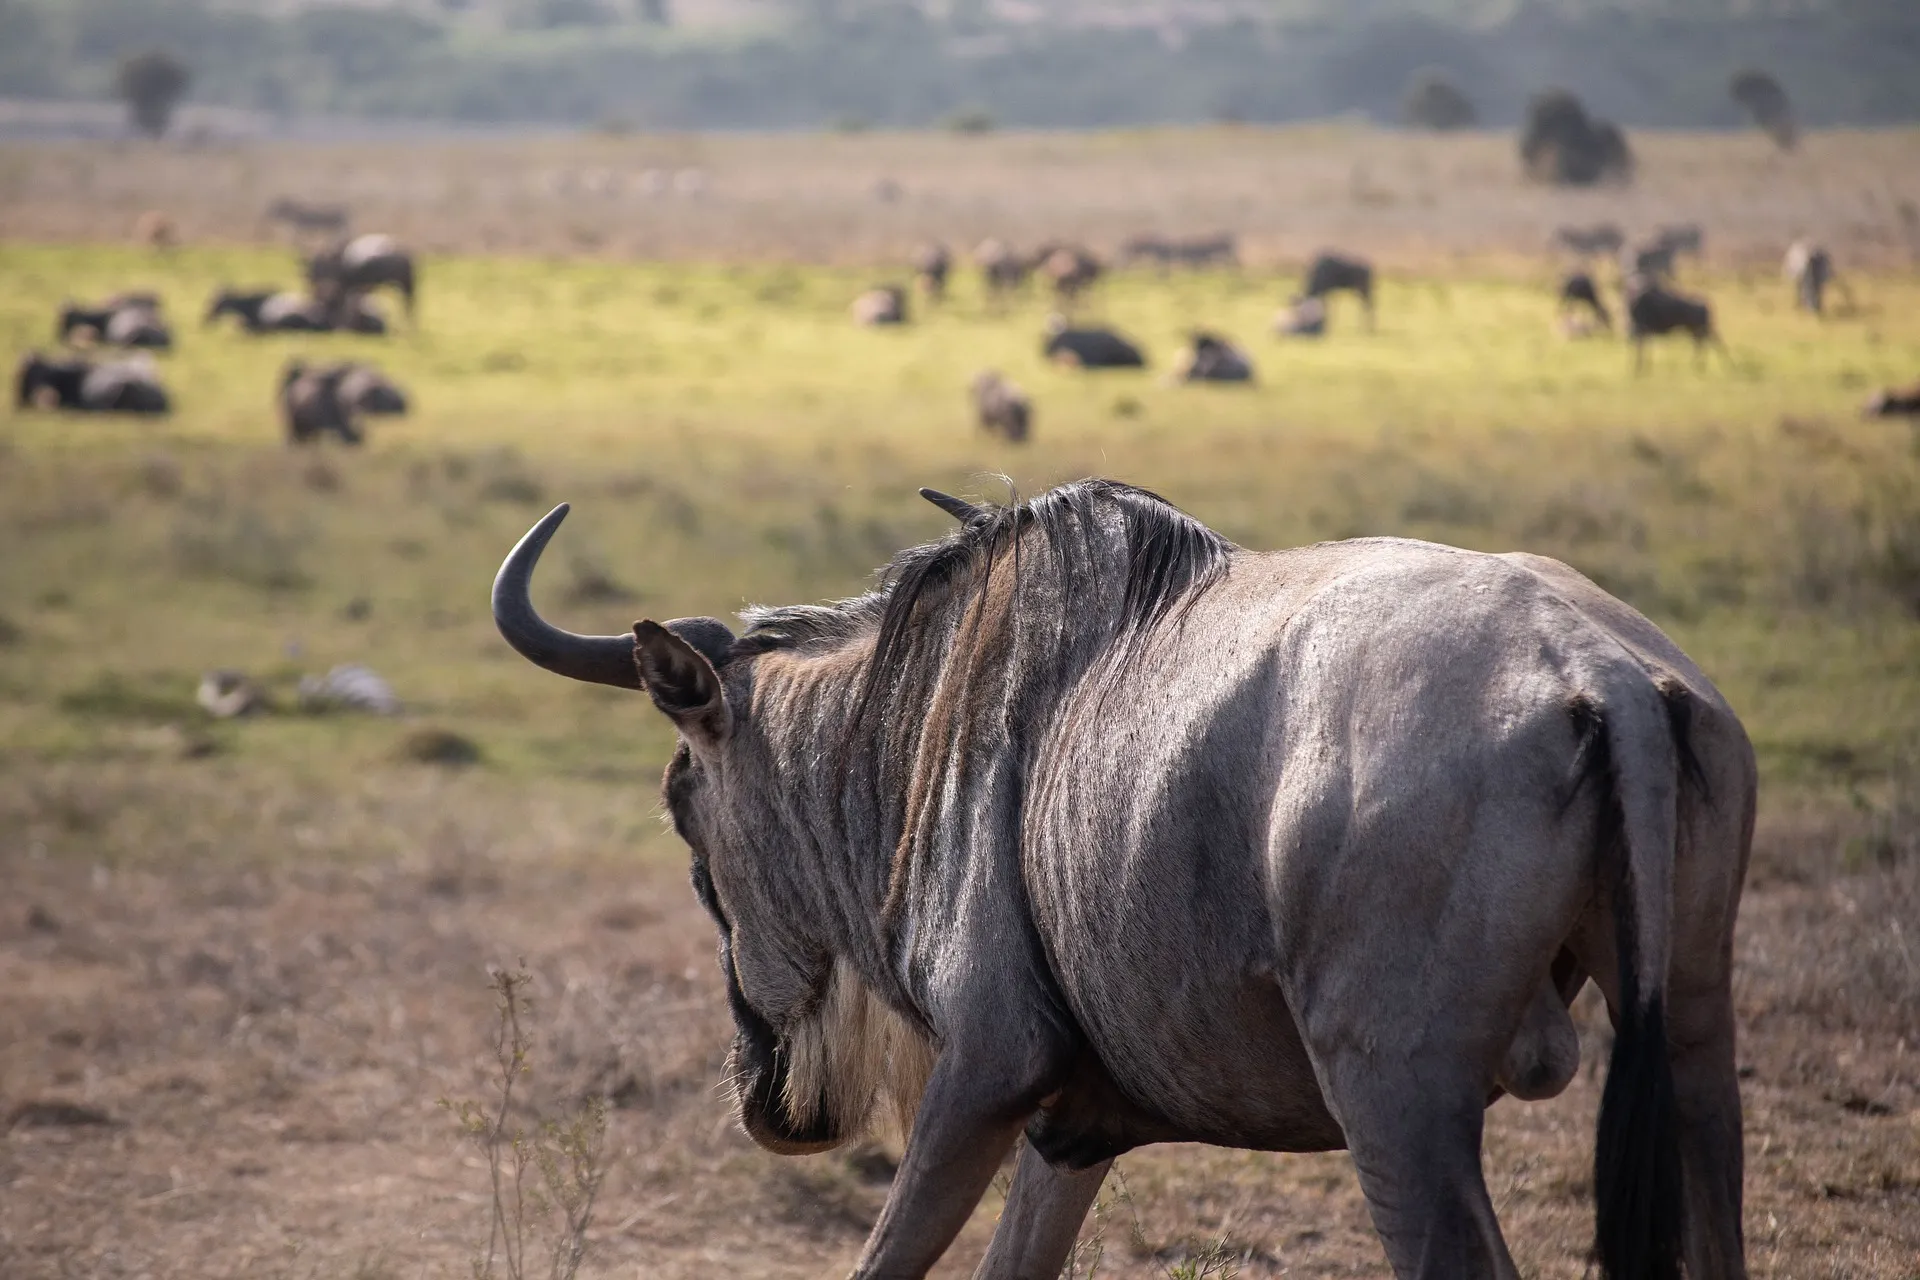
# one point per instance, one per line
(565, 1156)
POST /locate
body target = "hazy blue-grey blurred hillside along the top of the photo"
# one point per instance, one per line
(771, 64)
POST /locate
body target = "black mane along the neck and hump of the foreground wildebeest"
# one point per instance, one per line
(1170, 557)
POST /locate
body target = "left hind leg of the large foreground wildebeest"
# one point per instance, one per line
(1416, 1141)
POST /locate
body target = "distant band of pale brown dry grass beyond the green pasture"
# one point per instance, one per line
(1285, 191)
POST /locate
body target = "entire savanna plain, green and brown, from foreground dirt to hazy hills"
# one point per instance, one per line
(243, 964)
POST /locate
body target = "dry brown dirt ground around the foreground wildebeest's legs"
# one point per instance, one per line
(233, 1068)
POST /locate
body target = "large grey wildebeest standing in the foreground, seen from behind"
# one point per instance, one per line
(1093, 826)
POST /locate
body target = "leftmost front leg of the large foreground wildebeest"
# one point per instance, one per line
(969, 1120)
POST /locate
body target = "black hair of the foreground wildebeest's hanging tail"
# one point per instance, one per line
(1637, 1154)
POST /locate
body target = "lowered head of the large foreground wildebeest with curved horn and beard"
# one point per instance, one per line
(815, 1049)
